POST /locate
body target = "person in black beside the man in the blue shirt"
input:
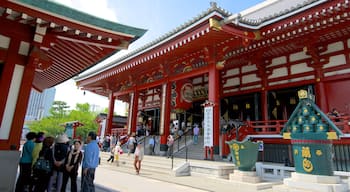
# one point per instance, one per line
(72, 163)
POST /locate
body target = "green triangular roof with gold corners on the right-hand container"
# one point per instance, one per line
(309, 122)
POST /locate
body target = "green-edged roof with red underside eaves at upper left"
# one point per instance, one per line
(63, 41)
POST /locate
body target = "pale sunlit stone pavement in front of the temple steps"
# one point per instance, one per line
(109, 178)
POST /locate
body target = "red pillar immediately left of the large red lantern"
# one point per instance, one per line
(165, 112)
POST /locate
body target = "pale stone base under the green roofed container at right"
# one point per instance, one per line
(319, 183)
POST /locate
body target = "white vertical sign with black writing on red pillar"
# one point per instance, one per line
(208, 126)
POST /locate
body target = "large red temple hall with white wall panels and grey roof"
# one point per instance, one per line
(246, 66)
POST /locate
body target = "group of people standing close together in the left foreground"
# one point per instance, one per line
(51, 162)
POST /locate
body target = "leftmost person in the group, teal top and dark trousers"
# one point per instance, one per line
(25, 164)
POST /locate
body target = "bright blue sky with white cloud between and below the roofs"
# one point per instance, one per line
(156, 16)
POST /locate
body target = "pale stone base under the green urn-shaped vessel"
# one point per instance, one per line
(248, 181)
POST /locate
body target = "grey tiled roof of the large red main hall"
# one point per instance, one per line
(252, 18)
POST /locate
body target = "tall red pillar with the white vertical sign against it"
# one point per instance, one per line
(214, 97)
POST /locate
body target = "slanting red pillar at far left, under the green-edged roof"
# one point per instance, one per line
(22, 102)
